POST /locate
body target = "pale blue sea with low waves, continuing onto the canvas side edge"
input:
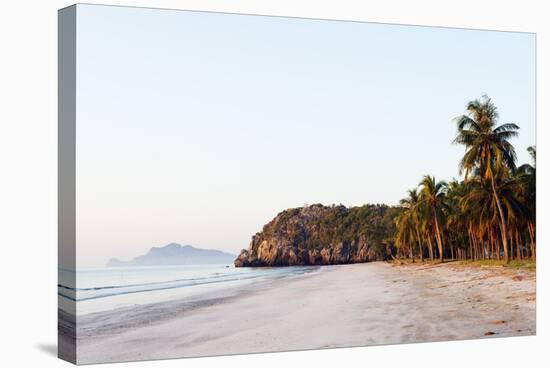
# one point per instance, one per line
(109, 288)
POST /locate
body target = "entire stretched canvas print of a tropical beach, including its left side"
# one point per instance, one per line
(233, 184)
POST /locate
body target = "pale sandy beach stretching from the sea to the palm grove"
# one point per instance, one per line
(334, 306)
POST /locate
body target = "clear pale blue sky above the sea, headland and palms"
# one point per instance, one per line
(198, 128)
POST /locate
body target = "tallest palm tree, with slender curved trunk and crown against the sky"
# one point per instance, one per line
(488, 150)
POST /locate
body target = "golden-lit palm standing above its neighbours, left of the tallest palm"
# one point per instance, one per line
(432, 195)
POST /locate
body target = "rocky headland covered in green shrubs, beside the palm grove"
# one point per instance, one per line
(321, 235)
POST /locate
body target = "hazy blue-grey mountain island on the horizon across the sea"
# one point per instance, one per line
(175, 254)
